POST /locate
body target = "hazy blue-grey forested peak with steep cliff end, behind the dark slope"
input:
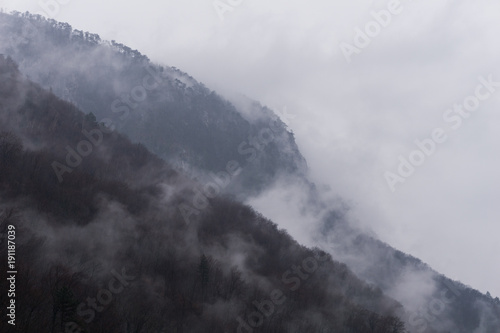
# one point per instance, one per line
(173, 115)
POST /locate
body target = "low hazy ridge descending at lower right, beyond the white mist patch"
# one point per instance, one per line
(432, 301)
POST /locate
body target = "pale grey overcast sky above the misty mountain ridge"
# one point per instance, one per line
(354, 112)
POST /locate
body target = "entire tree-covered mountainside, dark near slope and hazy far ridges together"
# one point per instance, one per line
(102, 183)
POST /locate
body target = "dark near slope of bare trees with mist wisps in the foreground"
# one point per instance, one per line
(106, 250)
